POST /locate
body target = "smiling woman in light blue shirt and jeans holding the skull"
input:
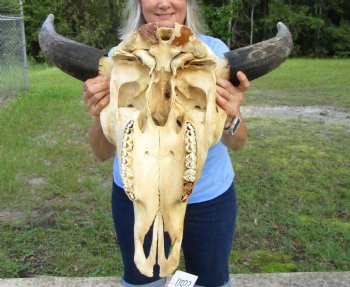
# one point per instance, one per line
(211, 212)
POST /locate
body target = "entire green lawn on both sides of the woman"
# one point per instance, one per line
(292, 180)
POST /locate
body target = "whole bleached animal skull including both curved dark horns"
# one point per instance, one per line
(162, 115)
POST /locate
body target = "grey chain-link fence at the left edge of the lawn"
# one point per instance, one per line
(13, 57)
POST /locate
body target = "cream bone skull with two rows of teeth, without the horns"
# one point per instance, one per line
(163, 118)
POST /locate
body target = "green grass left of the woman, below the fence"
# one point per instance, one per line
(66, 227)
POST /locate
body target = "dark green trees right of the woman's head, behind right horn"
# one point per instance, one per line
(319, 28)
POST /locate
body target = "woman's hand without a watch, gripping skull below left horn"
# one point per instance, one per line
(96, 94)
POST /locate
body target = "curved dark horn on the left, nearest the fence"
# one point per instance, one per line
(76, 59)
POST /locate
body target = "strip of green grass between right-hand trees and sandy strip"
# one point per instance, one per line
(304, 82)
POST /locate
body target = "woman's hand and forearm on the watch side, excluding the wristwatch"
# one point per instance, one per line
(230, 98)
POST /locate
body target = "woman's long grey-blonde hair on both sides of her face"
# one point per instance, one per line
(133, 18)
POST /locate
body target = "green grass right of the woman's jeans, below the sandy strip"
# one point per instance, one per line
(294, 193)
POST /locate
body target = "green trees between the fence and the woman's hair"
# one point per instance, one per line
(91, 22)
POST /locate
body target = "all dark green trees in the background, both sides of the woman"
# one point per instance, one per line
(320, 28)
